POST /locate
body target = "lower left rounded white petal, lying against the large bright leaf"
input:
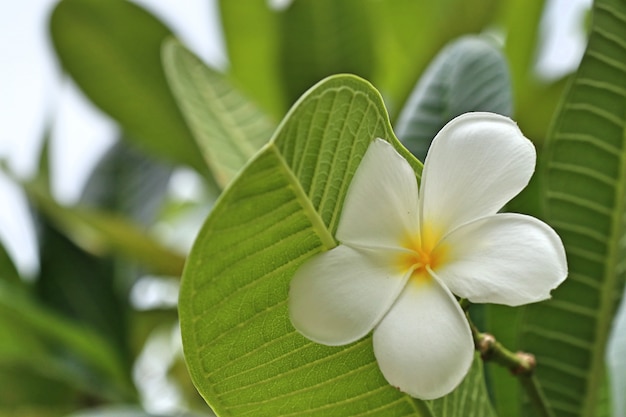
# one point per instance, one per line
(339, 296)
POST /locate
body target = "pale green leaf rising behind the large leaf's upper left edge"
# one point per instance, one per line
(228, 128)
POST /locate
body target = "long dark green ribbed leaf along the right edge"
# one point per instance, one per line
(584, 195)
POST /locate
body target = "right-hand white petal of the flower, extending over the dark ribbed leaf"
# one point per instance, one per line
(507, 258)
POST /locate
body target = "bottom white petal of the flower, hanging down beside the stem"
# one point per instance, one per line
(424, 346)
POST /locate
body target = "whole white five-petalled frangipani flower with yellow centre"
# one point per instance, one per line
(404, 253)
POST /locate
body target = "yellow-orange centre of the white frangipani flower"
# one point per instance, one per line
(424, 252)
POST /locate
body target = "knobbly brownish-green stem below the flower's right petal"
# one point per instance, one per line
(520, 364)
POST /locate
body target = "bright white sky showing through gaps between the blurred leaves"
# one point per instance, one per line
(31, 89)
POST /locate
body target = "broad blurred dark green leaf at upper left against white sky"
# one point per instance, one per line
(112, 49)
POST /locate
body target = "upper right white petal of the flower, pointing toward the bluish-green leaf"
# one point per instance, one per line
(476, 163)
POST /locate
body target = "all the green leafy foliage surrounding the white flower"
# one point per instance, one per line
(275, 140)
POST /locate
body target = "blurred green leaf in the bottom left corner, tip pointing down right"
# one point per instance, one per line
(51, 346)
